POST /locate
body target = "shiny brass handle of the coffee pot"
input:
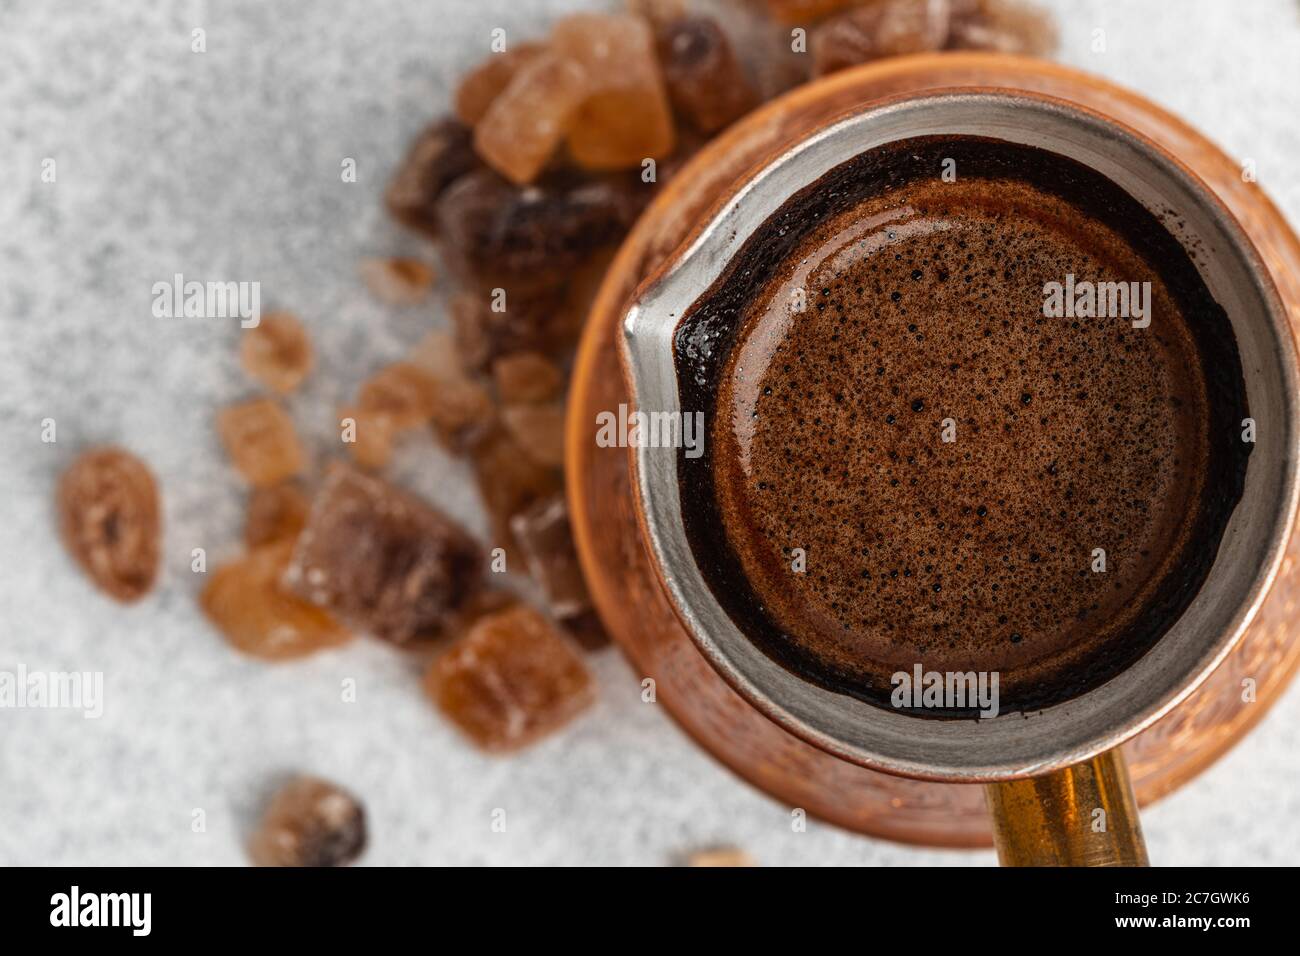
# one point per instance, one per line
(1082, 816)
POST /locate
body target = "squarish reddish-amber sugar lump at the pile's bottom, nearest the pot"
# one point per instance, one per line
(514, 678)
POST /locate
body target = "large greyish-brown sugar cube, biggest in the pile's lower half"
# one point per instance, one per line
(383, 560)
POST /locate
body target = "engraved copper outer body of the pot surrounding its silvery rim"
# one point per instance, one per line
(623, 582)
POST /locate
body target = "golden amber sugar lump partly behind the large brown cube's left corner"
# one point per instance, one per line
(248, 603)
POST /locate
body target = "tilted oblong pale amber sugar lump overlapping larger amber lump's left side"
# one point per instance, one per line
(528, 120)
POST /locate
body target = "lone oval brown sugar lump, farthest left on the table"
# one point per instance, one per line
(111, 522)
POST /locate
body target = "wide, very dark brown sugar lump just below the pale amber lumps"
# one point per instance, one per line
(528, 241)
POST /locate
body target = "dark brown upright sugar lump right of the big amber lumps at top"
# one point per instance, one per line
(705, 80)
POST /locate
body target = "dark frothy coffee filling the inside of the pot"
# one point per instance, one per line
(909, 462)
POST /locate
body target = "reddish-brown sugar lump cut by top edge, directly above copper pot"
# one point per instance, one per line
(889, 28)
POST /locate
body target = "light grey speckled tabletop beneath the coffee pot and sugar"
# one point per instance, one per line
(227, 166)
